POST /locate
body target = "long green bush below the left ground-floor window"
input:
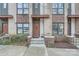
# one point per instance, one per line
(14, 39)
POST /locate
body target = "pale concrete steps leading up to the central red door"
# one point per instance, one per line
(37, 42)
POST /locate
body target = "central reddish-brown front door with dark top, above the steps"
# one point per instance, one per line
(36, 27)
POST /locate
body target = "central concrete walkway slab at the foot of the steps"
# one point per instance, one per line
(35, 51)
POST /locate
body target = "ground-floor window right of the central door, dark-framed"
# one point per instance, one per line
(58, 28)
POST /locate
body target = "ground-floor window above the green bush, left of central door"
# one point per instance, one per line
(22, 28)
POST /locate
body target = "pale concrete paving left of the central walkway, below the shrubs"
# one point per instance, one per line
(10, 50)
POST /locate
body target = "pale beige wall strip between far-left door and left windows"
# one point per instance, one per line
(12, 22)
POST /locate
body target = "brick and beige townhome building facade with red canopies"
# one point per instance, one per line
(39, 19)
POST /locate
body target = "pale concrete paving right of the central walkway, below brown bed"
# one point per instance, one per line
(62, 52)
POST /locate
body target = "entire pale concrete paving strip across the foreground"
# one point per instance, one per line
(10, 50)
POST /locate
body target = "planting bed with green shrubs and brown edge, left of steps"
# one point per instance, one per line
(20, 40)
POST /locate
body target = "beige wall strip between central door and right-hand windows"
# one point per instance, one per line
(48, 21)
